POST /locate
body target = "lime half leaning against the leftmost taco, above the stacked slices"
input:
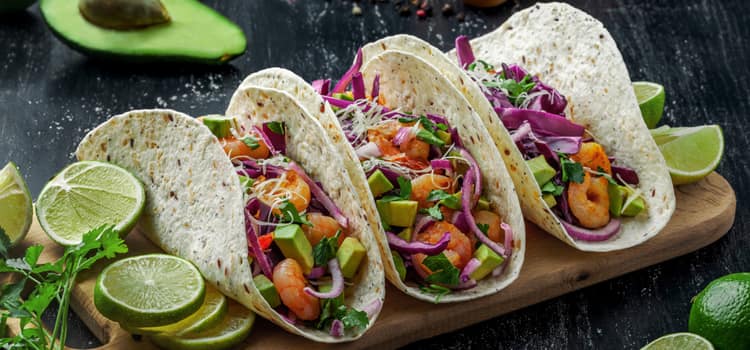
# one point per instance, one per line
(87, 195)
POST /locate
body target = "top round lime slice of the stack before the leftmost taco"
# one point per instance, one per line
(149, 290)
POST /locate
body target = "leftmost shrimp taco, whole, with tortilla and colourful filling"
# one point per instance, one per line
(257, 204)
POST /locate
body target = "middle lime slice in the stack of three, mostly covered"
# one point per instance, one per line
(210, 314)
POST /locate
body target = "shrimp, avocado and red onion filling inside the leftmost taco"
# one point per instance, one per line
(301, 255)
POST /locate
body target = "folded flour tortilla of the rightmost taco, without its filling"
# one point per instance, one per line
(572, 52)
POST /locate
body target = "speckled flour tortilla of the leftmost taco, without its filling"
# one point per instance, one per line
(195, 202)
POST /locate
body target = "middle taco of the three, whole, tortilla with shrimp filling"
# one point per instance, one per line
(450, 227)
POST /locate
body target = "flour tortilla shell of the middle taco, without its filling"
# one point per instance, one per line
(497, 183)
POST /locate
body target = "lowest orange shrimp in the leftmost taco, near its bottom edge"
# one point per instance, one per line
(290, 282)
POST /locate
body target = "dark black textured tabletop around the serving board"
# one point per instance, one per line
(51, 96)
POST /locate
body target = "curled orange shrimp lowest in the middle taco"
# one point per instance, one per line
(459, 250)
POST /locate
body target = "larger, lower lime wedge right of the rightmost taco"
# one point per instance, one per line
(691, 152)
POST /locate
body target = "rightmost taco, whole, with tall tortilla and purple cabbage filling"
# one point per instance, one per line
(583, 162)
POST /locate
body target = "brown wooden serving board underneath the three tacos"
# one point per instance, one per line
(705, 212)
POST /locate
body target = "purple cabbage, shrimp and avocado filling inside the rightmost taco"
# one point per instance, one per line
(585, 188)
